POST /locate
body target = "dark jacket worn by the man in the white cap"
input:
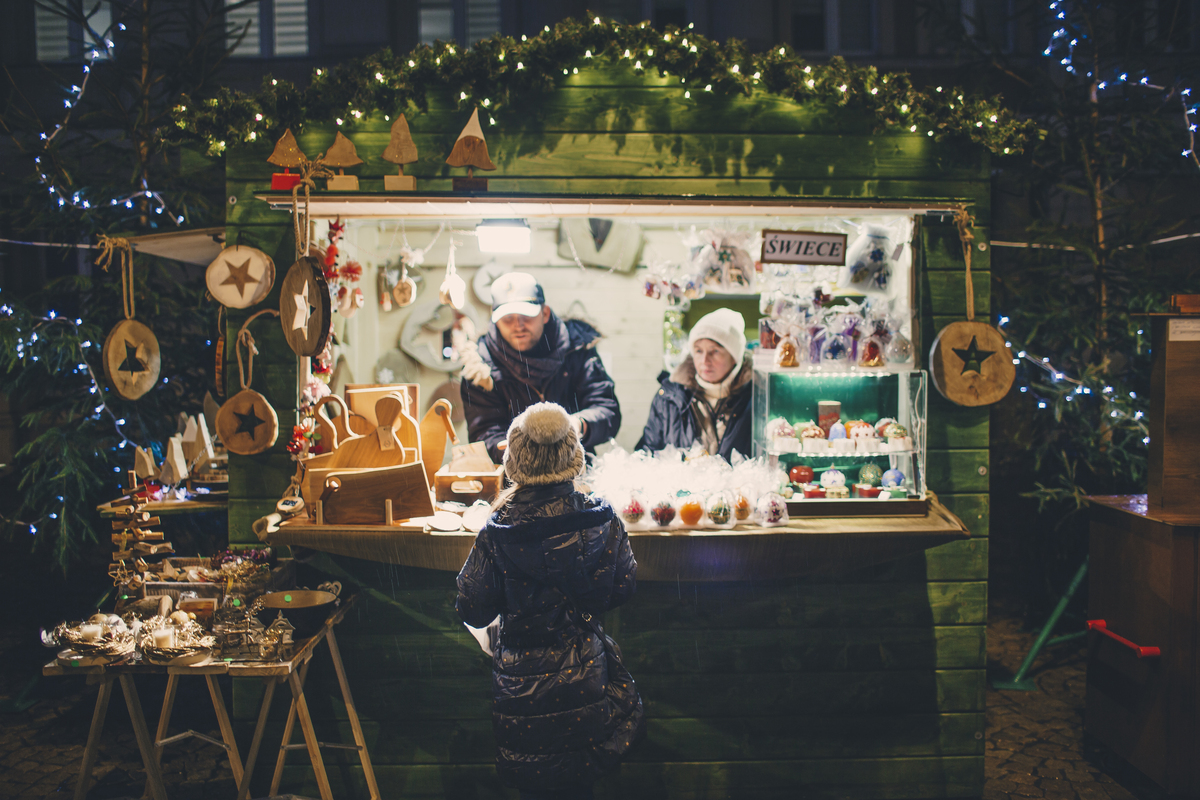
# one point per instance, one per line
(581, 386)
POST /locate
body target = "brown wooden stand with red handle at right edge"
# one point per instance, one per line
(1144, 585)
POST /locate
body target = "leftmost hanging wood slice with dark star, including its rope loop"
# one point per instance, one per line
(131, 352)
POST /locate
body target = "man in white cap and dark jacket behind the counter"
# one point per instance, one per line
(530, 356)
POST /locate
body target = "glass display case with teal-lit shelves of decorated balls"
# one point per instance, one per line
(848, 440)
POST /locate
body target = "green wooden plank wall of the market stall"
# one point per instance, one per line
(861, 685)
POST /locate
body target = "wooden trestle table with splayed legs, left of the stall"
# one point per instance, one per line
(293, 672)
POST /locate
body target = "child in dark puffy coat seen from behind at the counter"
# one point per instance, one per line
(549, 563)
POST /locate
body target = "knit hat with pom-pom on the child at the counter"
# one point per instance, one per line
(544, 447)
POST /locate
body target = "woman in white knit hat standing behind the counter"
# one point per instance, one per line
(707, 398)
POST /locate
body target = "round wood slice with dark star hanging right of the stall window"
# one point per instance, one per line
(971, 364)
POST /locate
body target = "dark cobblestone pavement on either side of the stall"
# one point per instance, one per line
(1034, 739)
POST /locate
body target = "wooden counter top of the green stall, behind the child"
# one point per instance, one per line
(806, 546)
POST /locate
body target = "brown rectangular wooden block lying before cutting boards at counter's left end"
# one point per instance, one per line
(359, 497)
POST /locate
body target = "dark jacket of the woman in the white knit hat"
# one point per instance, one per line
(674, 423)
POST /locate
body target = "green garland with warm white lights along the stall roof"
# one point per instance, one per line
(500, 74)
